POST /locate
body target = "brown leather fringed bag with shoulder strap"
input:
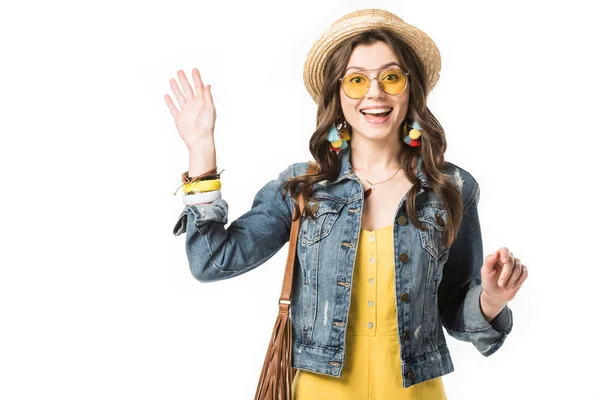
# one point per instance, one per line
(275, 382)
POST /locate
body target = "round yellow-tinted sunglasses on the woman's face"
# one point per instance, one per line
(391, 81)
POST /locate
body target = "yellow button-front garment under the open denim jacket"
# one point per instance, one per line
(372, 367)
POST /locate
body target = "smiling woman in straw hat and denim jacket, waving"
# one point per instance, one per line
(390, 247)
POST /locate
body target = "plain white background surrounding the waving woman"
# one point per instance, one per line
(96, 297)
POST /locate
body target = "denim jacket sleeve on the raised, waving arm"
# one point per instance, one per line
(215, 253)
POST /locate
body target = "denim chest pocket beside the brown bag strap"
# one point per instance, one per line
(326, 212)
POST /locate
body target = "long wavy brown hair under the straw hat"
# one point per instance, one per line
(433, 139)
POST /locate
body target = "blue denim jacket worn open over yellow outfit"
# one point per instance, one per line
(435, 286)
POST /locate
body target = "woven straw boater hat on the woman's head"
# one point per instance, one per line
(364, 20)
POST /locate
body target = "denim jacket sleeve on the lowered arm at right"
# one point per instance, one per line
(460, 288)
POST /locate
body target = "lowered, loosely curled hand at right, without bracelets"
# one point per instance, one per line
(502, 275)
